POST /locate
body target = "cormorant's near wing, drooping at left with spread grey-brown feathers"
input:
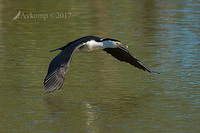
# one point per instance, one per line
(58, 69)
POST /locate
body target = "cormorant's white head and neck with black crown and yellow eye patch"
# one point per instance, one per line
(113, 43)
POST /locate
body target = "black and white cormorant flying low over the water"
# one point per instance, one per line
(60, 64)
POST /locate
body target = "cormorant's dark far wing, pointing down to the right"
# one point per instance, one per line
(123, 54)
